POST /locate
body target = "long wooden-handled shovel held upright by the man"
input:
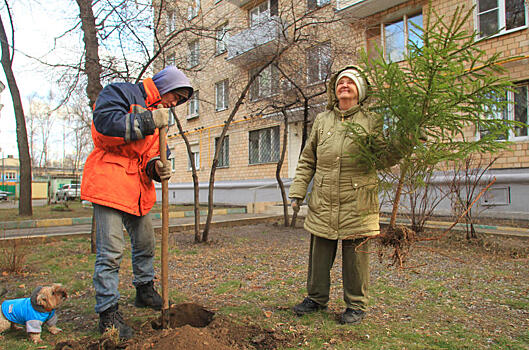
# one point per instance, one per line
(165, 231)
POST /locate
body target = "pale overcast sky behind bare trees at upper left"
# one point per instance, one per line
(37, 23)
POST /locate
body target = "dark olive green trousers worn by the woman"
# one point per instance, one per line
(355, 271)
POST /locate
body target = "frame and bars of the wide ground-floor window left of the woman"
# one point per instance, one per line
(275, 141)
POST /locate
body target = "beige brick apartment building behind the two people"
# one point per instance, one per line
(306, 41)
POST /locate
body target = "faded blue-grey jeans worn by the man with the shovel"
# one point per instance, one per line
(110, 243)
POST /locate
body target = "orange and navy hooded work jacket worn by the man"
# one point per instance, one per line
(117, 173)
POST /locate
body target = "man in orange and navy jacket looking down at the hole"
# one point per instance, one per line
(118, 179)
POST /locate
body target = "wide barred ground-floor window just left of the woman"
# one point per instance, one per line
(264, 145)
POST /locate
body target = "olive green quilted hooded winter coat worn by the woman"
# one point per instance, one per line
(343, 203)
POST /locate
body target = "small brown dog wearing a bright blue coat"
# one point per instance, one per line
(34, 311)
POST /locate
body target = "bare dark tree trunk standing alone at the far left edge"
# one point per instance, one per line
(24, 203)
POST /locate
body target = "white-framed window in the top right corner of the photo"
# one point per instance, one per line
(500, 16)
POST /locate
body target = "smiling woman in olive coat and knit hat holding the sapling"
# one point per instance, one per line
(343, 204)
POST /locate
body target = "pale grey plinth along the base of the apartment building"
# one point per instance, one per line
(507, 198)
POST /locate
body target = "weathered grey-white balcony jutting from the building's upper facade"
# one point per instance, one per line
(255, 44)
